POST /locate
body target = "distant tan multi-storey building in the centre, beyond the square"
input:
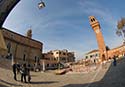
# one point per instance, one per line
(52, 58)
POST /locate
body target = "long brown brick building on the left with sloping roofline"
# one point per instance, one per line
(22, 49)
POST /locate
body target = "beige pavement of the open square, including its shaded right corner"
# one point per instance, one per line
(108, 76)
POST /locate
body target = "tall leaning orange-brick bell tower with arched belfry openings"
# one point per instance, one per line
(101, 44)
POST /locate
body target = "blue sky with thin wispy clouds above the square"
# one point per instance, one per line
(64, 24)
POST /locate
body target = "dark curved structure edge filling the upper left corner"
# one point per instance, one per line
(5, 8)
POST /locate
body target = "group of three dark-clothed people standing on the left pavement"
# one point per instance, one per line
(24, 70)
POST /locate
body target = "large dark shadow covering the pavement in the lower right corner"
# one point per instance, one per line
(115, 77)
